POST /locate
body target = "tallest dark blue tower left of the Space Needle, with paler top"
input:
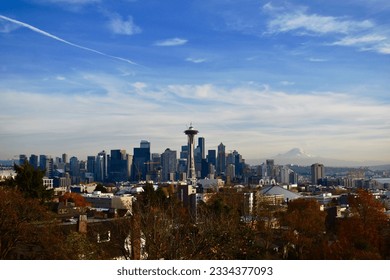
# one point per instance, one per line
(141, 159)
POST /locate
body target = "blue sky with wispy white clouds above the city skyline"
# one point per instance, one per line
(262, 77)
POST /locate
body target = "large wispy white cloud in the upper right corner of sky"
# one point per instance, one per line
(362, 34)
